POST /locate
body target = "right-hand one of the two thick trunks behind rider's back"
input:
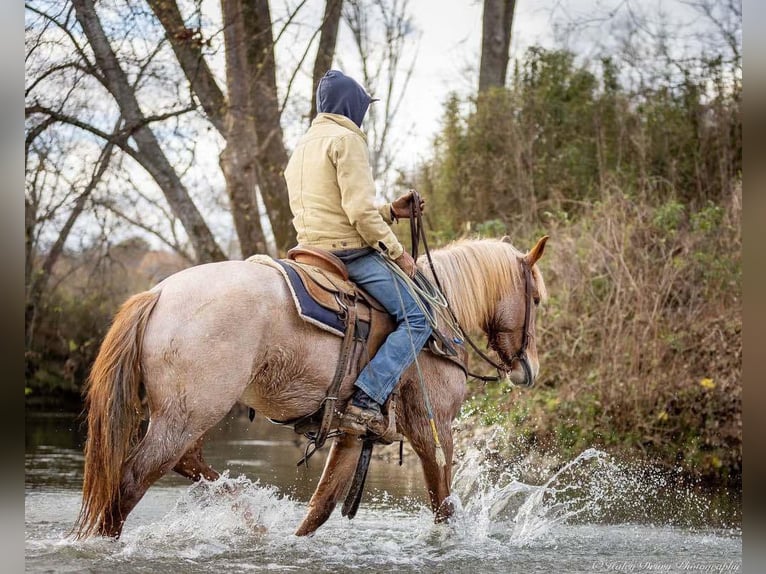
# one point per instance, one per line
(271, 156)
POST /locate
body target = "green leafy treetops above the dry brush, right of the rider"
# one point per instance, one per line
(561, 134)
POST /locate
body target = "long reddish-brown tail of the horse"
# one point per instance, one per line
(114, 411)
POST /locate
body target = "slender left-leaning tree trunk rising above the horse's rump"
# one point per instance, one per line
(154, 160)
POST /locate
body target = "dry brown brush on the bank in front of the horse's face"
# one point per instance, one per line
(640, 343)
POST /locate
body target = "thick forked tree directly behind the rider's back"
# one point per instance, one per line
(249, 122)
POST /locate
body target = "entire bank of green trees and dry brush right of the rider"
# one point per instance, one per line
(640, 343)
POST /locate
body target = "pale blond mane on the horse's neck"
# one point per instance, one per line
(477, 273)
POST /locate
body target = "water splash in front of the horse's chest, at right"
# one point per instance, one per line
(493, 501)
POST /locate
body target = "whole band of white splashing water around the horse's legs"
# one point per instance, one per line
(495, 503)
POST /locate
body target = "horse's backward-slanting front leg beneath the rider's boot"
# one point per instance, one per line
(336, 477)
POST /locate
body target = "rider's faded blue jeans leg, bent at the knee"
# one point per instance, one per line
(371, 273)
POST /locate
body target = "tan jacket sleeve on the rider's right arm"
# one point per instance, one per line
(357, 191)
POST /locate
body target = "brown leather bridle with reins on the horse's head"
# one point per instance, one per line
(416, 234)
